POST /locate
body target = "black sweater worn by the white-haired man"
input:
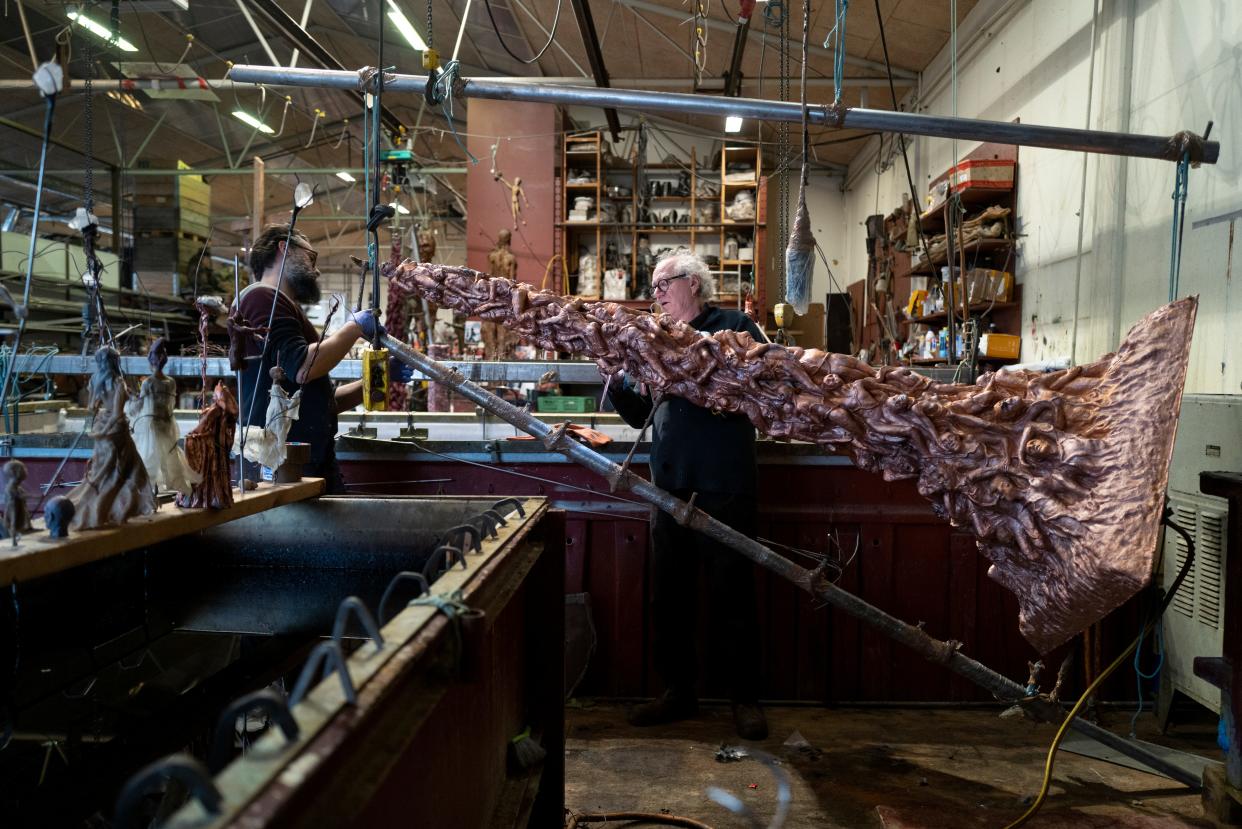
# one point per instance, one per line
(692, 448)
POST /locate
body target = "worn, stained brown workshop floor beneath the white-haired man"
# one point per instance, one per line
(873, 767)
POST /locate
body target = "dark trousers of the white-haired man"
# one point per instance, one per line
(732, 637)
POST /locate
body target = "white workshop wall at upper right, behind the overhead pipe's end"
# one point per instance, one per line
(1159, 66)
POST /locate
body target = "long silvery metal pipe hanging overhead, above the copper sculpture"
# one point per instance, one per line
(1081, 141)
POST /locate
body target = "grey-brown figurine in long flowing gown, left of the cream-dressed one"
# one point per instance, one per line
(116, 487)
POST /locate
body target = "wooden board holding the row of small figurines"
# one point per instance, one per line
(37, 555)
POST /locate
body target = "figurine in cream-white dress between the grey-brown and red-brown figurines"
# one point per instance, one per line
(156, 433)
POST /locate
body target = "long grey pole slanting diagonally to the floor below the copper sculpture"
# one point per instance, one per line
(947, 654)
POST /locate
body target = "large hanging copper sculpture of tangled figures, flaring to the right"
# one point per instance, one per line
(1061, 477)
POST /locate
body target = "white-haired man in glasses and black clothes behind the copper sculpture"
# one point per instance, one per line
(697, 452)
